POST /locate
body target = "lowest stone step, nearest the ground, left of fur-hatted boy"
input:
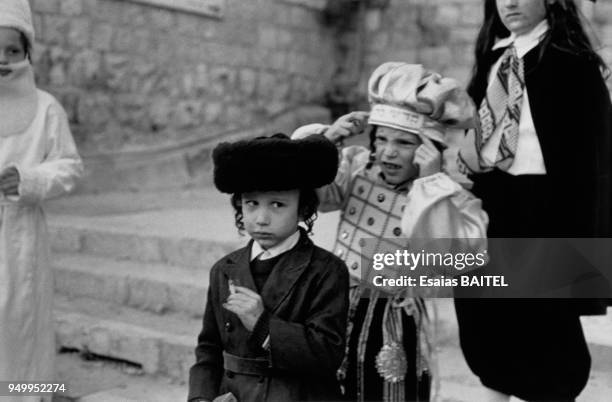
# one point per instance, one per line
(162, 344)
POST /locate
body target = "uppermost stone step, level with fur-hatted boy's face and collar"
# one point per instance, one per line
(145, 237)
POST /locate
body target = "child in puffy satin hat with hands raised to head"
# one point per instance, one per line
(393, 192)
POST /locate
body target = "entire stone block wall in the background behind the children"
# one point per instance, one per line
(150, 90)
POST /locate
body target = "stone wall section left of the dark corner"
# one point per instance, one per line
(132, 76)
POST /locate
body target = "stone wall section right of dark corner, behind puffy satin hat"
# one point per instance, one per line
(440, 34)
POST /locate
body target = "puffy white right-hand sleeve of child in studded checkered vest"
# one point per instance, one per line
(437, 207)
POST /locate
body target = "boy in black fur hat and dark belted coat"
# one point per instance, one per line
(275, 317)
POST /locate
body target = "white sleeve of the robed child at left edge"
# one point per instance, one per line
(61, 167)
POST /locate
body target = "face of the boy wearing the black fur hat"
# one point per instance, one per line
(270, 217)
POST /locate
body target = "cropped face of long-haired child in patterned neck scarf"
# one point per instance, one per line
(521, 16)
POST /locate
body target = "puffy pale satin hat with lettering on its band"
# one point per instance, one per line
(408, 97)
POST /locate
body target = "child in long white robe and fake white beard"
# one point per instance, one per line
(38, 160)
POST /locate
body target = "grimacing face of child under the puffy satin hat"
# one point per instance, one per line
(395, 154)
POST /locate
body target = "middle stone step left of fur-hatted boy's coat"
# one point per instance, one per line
(153, 287)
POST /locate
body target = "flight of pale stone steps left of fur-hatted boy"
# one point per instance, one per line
(132, 296)
